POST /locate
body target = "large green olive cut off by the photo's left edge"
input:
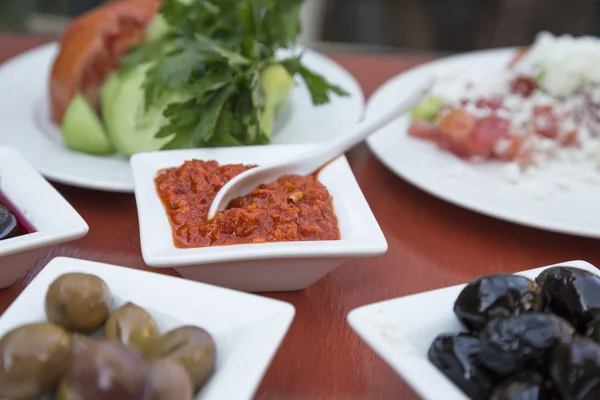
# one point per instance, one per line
(33, 359)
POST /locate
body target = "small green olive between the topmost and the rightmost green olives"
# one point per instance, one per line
(133, 326)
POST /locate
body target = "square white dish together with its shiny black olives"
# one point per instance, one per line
(533, 335)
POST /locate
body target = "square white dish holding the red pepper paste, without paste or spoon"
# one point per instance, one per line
(281, 266)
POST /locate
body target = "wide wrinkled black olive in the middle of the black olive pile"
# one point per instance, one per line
(510, 345)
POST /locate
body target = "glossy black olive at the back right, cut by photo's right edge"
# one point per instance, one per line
(572, 293)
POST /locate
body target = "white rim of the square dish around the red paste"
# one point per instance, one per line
(350, 204)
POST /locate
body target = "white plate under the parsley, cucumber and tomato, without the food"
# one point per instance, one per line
(24, 112)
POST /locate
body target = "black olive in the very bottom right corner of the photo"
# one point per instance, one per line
(575, 369)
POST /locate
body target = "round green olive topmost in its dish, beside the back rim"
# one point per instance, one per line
(78, 302)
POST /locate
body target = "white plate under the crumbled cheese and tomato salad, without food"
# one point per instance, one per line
(540, 201)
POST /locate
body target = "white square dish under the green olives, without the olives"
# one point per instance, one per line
(247, 329)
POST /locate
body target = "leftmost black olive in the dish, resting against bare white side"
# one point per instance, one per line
(456, 356)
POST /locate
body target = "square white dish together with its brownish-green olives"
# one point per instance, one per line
(89, 331)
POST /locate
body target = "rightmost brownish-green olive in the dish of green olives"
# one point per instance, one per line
(193, 347)
